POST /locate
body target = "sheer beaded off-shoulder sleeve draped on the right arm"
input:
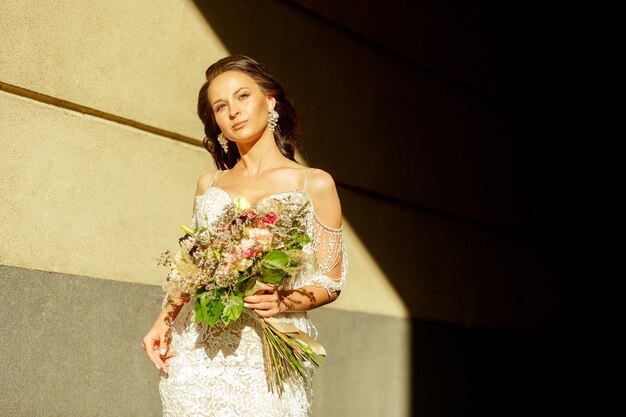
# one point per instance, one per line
(330, 256)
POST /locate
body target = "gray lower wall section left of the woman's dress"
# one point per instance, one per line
(71, 346)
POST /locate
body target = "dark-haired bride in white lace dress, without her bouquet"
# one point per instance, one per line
(251, 128)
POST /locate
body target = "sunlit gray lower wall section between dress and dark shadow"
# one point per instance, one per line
(368, 368)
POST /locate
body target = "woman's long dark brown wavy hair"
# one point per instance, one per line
(287, 131)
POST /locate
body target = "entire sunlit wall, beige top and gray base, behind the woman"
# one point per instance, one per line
(98, 166)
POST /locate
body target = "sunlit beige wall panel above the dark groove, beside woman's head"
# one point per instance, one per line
(142, 60)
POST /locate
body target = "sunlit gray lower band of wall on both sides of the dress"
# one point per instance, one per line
(71, 347)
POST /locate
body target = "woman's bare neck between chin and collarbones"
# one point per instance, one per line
(259, 156)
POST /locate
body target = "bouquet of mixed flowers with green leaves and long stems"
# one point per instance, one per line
(222, 265)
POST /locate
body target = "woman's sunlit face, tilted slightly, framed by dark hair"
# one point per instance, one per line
(240, 107)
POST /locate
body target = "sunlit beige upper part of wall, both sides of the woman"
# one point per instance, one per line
(145, 66)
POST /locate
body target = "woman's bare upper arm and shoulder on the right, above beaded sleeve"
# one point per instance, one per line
(322, 191)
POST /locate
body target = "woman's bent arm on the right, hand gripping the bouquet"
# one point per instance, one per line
(323, 287)
